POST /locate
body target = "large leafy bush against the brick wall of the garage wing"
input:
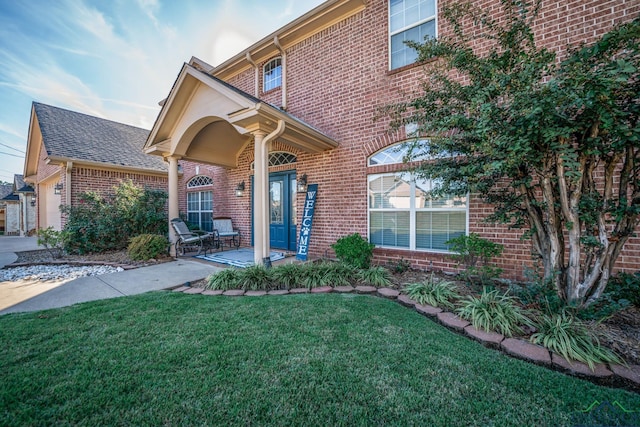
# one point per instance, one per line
(101, 223)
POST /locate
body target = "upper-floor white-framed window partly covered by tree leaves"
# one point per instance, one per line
(409, 20)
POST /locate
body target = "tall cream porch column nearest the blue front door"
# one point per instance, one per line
(260, 198)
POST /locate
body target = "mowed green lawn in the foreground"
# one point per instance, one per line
(173, 359)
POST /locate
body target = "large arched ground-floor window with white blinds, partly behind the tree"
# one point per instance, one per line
(402, 214)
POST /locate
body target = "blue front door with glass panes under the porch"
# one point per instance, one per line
(282, 210)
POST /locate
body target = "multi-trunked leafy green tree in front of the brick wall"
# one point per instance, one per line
(552, 144)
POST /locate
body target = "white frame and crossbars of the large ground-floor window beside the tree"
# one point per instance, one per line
(412, 216)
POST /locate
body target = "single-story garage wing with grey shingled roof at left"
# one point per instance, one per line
(69, 153)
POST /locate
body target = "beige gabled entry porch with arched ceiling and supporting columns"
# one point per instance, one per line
(207, 121)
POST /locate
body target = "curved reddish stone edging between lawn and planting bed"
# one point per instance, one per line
(604, 374)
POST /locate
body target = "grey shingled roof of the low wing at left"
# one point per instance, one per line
(75, 136)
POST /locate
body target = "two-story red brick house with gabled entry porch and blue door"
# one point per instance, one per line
(300, 104)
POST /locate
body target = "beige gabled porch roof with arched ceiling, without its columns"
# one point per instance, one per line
(209, 121)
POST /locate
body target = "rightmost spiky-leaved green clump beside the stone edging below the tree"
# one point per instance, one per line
(566, 335)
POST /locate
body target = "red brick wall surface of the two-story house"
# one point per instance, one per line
(338, 78)
